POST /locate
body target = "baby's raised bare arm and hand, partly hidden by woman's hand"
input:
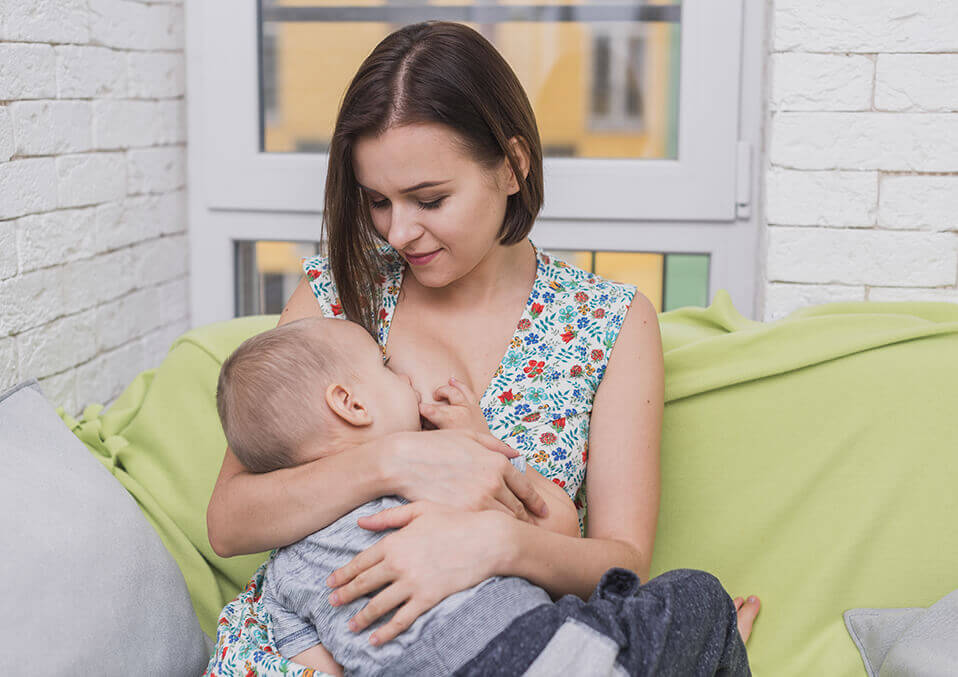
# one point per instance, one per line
(462, 411)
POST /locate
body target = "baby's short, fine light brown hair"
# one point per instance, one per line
(268, 393)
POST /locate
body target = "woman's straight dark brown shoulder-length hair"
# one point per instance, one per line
(431, 72)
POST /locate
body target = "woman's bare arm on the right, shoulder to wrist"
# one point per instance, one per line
(622, 480)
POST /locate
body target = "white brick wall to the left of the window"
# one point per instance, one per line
(93, 247)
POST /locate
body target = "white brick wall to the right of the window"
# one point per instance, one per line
(861, 175)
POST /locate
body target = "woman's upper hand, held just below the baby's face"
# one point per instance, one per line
(458, 469)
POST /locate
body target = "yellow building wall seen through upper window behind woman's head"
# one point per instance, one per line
(315, 61)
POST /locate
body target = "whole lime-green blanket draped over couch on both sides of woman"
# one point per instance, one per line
(809, 461)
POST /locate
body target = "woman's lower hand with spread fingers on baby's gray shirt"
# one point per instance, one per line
(438, 551)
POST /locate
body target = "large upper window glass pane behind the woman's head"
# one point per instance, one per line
(602, 78)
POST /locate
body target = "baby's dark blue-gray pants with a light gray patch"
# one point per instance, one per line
(681, 623)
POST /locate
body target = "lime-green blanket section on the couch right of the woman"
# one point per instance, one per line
(811, 461)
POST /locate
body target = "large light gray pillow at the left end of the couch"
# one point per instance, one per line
(88, 587)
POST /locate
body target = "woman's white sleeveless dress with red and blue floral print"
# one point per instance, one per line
(539, 402)
